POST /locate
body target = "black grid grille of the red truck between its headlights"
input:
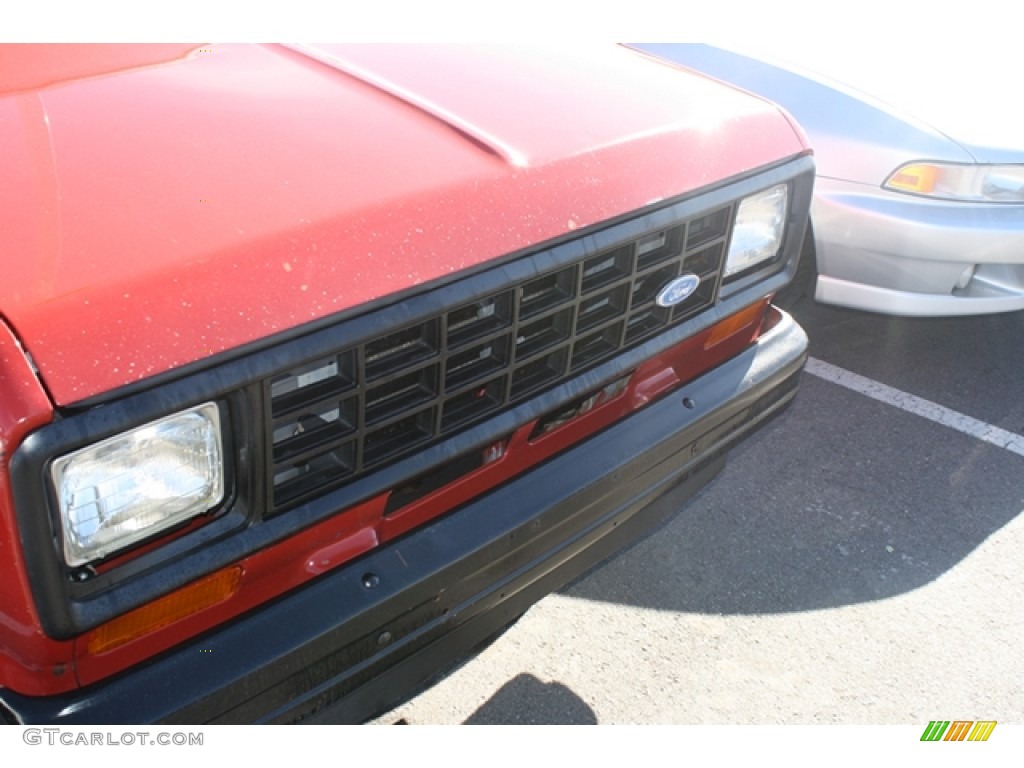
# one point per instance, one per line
(357, 409)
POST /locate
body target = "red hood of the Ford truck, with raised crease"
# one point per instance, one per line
(165, 205)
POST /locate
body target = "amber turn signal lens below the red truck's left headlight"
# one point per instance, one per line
(185, 603)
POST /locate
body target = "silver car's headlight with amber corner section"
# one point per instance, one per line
(976, 184)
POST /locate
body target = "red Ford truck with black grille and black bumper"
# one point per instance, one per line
(319, 366)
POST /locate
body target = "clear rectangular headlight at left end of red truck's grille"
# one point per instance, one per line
(135, 485)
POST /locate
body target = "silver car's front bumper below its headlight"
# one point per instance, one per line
(899, 254)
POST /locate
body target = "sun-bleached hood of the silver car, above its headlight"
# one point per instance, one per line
(967, 93)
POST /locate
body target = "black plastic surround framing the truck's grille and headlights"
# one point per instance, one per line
(67, 610)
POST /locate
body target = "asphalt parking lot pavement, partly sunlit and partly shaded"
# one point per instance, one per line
(859, 562)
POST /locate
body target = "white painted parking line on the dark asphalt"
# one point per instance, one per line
(914, 405)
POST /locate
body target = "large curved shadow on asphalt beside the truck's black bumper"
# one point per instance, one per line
(841, 500)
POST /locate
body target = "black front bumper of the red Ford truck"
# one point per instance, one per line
(362, 638)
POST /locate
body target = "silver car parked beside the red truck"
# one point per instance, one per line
(919, 204)
